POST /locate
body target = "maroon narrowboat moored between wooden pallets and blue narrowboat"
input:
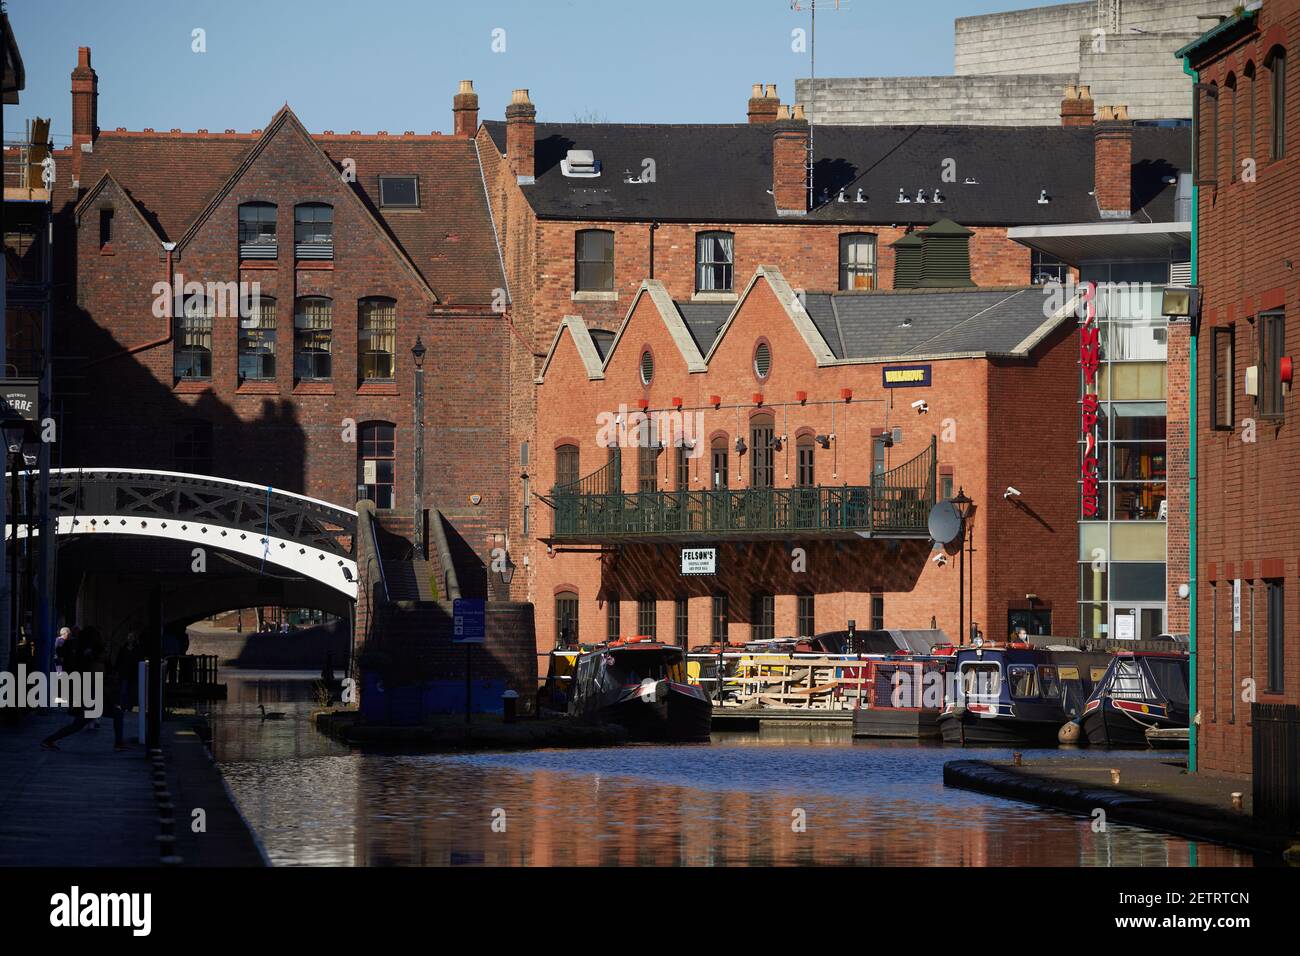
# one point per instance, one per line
(903, 698)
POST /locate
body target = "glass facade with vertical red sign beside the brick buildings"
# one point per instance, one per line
(1123, 539)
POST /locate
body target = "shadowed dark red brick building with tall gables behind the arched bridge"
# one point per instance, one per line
(359, 245)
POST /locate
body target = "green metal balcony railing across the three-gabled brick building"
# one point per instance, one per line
(896, 504)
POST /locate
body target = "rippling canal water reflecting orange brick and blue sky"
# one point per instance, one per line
(798, 797)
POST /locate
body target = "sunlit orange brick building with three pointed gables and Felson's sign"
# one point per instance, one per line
(807, 440)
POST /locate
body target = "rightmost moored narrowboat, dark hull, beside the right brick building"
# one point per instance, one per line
(1139, 693)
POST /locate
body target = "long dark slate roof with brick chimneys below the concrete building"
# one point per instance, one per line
(725, 174)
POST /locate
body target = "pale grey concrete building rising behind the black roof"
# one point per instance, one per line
(1011, 68)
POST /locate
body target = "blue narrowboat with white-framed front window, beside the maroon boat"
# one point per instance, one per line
(1016, 695)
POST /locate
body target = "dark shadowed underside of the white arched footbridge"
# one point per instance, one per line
(107, 581)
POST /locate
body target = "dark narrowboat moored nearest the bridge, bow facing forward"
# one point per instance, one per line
(642, 686)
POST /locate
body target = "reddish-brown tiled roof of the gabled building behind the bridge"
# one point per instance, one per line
(450, 239)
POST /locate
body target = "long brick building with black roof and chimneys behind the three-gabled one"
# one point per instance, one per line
(588, 213)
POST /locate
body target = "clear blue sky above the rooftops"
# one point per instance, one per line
(395, 64)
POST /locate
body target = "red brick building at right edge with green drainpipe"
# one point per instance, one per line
(1249, 561)
